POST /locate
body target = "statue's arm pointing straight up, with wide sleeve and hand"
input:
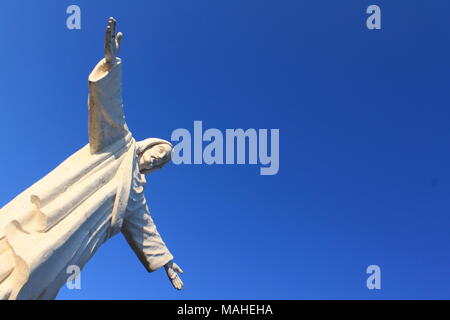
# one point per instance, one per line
(106, 116)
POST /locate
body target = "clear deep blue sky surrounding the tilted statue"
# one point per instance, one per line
(364, 139)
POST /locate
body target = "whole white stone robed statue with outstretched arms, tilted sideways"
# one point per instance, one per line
(93, 195)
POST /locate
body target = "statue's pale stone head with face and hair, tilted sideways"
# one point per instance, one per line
(153, 154)
